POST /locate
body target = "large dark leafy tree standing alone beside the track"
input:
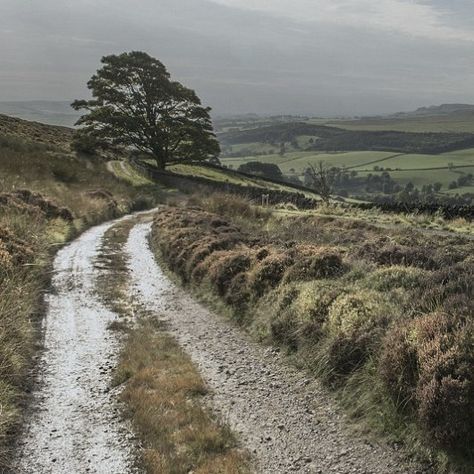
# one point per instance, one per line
(136, 105)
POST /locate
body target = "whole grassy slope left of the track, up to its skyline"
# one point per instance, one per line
(48, 195)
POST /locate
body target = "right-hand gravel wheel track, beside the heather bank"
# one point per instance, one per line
(286, 420)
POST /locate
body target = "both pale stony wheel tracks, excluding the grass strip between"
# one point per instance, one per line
(283, 418)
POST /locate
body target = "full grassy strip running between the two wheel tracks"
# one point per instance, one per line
(162, 389)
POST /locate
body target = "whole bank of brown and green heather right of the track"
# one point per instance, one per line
(382, 316)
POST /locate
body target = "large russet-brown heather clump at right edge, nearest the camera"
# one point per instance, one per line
(427, 368)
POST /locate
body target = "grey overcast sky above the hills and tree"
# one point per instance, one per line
(318, 57)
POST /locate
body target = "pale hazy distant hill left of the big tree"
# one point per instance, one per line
(48, 112)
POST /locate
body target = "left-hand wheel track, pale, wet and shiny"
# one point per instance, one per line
(74, 427)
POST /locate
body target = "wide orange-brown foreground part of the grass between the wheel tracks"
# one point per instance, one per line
(163, 393)
